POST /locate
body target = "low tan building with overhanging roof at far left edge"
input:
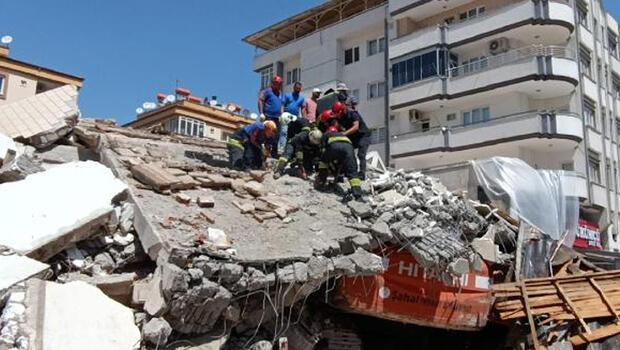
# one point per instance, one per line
(19, 79)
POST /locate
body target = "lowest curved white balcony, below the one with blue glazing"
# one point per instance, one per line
(514, 127)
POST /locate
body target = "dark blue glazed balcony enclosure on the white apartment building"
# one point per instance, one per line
(418, 68)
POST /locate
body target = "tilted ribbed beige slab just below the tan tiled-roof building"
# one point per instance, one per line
(42, 119)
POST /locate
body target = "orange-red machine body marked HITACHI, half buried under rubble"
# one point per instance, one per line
(404, 293)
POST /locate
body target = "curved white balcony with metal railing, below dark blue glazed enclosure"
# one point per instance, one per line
(553, 69)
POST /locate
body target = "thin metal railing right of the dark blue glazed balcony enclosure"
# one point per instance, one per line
(509, 57)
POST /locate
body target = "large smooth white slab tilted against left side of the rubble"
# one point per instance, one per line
(44, 213)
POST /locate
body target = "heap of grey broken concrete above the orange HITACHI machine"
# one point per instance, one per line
(418, 213)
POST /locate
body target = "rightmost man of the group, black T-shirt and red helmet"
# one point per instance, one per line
(355, 129)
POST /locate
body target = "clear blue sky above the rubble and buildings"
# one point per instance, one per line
(128, 50)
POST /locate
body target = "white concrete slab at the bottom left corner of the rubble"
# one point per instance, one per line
(77, 316)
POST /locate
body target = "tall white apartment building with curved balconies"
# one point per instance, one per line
(472, 79)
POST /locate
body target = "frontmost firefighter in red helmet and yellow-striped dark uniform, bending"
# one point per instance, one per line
(338, 156)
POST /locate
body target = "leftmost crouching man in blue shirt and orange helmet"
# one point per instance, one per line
(245, 147)
